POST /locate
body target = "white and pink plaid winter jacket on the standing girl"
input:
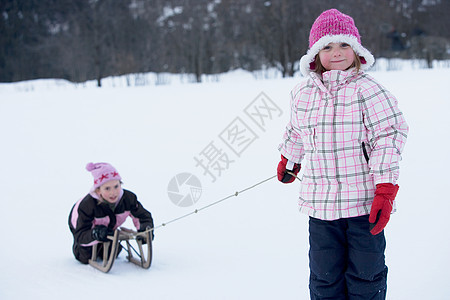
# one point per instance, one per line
(348, 134)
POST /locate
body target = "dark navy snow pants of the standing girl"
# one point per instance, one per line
(346, 261)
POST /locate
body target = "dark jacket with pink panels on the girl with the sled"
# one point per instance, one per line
(89, 212)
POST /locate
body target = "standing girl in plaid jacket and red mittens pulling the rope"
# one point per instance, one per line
(346, 134)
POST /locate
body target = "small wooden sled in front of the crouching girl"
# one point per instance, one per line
(123, 234)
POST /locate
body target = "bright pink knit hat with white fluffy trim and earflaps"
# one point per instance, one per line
(332, 26)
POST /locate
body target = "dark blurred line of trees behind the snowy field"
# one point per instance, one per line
(81, 40)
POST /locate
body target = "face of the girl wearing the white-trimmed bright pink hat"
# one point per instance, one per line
(337, 56)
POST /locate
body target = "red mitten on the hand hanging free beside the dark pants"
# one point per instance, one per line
(382, 206)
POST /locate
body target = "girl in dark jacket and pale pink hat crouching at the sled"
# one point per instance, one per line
(103, 210)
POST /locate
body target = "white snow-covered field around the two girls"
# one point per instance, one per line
(254, 246)
